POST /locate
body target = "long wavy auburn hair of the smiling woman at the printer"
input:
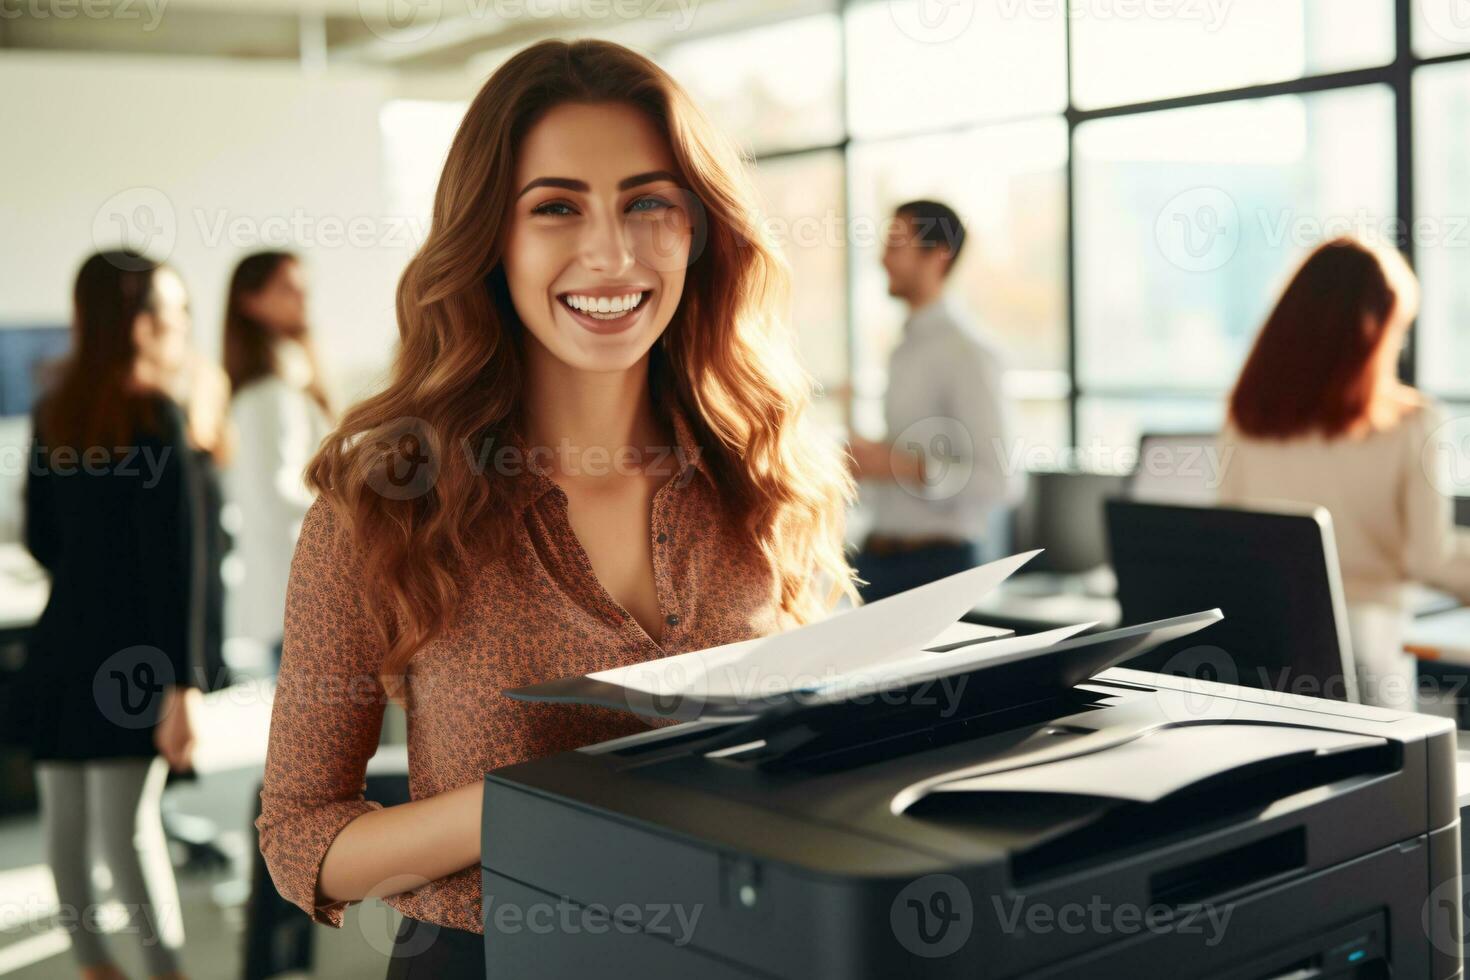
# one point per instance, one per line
(727, 358)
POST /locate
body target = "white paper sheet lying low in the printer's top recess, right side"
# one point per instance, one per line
(1164, 762)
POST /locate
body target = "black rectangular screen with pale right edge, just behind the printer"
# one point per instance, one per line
(1272, 572)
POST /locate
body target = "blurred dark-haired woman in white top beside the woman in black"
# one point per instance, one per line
(282, 415)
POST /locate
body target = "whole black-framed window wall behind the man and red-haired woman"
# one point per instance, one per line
(1140, 180)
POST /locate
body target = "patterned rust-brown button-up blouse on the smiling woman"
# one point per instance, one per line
(533, 615)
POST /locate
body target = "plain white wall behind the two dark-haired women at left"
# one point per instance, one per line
(215, 156)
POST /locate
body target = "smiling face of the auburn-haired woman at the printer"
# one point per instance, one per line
(599, 236)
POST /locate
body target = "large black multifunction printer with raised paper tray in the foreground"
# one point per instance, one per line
(1034, 815)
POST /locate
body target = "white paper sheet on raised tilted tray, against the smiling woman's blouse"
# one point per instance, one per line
(815, 655)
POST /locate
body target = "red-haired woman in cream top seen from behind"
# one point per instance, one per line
(1319, 417)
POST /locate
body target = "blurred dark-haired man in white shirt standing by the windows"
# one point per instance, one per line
(937, 480)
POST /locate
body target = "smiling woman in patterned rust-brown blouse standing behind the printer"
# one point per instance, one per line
(593, 452)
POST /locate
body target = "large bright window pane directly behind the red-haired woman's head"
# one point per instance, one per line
(1190, 221)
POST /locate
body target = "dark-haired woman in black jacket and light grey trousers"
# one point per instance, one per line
(114, 514)
